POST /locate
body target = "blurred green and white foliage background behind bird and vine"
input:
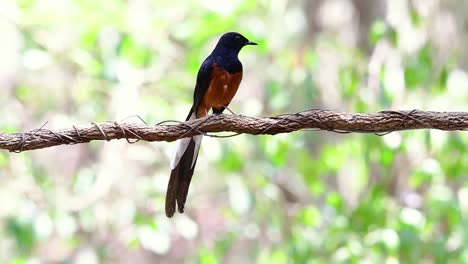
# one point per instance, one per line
(304, 197)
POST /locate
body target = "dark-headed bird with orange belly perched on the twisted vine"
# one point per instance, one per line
(218, 79)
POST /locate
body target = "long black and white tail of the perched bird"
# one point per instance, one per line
(182, 165)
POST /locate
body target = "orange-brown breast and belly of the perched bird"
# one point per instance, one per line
(222, 88)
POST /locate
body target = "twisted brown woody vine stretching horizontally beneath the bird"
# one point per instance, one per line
(341, 122)
